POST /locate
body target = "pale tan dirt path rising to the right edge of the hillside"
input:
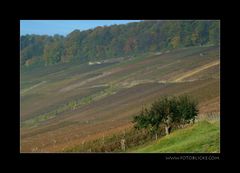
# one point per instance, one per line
(197, 70)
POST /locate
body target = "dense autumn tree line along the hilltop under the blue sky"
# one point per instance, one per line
(117, 40)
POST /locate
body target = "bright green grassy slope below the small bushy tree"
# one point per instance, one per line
(202, 137)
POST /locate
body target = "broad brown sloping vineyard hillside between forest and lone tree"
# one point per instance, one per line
(63, 105)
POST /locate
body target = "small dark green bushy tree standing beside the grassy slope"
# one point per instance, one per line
(167, 111)
